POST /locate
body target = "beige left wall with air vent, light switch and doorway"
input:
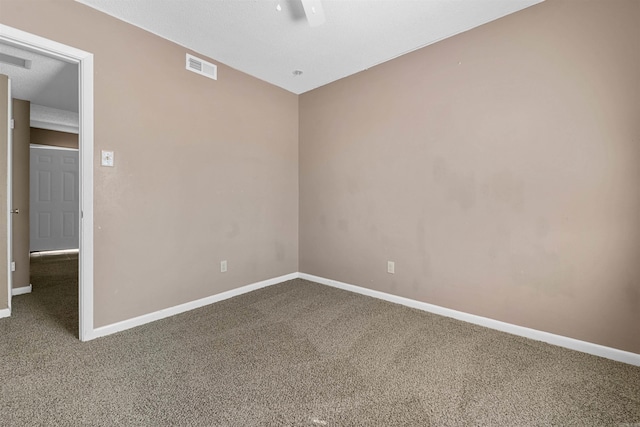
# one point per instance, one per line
(205, 170)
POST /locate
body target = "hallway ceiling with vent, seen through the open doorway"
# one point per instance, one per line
(49, 82)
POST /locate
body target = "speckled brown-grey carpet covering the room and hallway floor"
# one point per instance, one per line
(294, 354)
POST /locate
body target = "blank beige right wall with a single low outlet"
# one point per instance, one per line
(498, 169)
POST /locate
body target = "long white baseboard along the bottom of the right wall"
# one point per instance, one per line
(559, 340)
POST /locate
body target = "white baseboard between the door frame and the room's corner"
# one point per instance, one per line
(172, 311)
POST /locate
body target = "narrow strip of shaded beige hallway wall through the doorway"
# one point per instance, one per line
(20, 193)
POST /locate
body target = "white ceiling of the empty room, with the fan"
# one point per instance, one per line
(254, 37)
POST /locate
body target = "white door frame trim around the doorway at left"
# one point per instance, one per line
(84, 60)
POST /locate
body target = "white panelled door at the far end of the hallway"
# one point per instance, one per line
(54, 199)
